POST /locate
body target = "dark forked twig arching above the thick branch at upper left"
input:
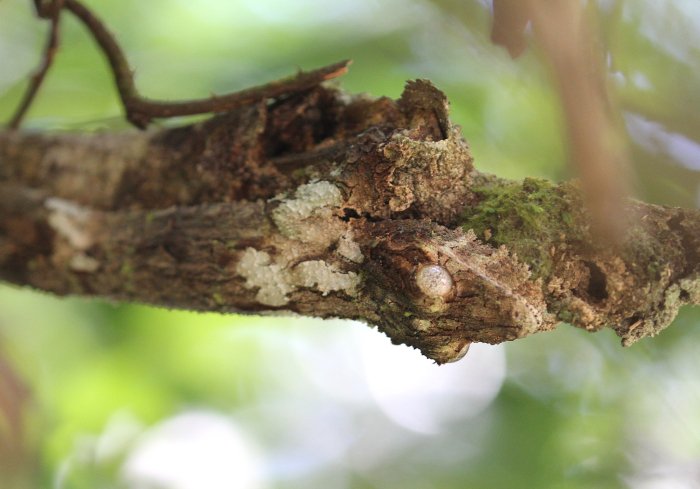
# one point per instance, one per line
(140, 111)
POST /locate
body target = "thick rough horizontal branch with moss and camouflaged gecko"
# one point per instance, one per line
(326, 204)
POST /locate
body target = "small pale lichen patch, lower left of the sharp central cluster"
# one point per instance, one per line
(271, 279)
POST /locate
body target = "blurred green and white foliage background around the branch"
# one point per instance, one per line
(101, 395)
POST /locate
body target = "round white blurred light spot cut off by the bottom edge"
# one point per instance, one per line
(194, 450)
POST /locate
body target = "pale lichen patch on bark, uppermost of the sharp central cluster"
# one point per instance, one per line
(309, 199)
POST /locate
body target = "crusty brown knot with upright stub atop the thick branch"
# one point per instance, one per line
(421, 171)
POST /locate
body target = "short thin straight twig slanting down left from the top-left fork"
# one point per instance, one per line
(50, 11)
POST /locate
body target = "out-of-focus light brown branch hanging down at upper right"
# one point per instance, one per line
(571, 44)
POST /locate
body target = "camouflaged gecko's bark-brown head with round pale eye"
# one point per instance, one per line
(439, 290)
